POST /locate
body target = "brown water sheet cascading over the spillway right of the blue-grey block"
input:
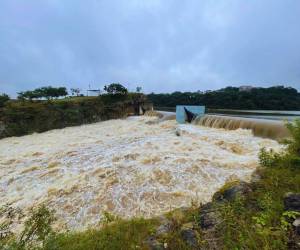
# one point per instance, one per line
(263, 128)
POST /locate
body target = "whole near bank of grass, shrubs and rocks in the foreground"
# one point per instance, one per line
(252, 216)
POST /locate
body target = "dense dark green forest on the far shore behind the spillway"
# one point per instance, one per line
(273, 98)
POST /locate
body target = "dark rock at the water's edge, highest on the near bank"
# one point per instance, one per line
(232, 191)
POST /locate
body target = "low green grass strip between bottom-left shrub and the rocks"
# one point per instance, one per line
(121, 234)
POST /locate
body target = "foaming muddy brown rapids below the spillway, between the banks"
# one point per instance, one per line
(130, 167)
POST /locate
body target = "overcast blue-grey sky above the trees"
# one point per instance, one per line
(161, 45)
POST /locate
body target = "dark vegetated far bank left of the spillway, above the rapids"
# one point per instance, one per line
(26, 117)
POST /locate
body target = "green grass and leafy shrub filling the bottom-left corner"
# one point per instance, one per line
(117, 234)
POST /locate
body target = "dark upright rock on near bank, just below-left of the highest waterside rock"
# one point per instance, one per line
(209, 216)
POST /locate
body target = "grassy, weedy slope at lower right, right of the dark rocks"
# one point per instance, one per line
(257, 221)
